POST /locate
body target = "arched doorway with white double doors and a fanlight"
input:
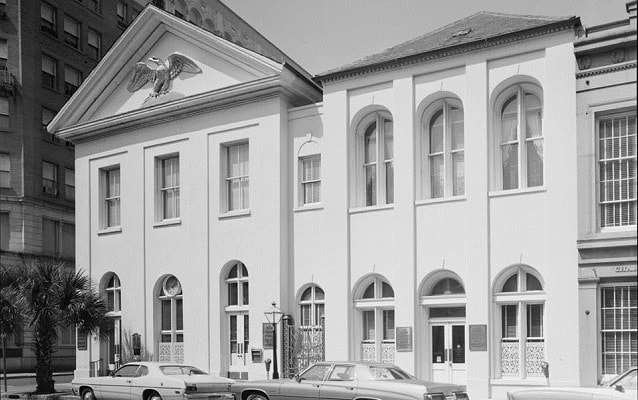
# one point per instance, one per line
(443, 301)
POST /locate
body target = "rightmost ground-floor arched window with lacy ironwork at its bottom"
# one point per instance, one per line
(520, 301)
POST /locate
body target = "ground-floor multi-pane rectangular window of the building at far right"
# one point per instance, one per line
(618, 328)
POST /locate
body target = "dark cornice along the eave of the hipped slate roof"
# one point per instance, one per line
(450, 51)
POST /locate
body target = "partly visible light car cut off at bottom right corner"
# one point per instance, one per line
(621, 387)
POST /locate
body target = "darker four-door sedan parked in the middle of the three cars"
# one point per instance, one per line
(349, 380)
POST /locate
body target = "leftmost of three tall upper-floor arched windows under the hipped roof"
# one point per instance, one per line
(375, 159)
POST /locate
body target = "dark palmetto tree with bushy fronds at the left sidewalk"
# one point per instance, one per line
(52, 296)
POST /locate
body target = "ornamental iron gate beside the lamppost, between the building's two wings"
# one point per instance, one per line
(302, 346)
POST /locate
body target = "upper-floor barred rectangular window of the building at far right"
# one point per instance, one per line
(617, 170)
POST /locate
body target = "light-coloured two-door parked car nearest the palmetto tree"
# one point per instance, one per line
(153, 381)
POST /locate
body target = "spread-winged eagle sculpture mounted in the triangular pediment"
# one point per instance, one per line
(163, 74)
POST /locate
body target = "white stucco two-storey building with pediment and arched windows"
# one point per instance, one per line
(422, 200)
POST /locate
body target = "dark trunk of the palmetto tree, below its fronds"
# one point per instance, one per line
(44, 338)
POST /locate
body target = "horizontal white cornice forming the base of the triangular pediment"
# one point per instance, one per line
(232, 96)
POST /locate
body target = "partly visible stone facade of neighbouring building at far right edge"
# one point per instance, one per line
(606, 117)
